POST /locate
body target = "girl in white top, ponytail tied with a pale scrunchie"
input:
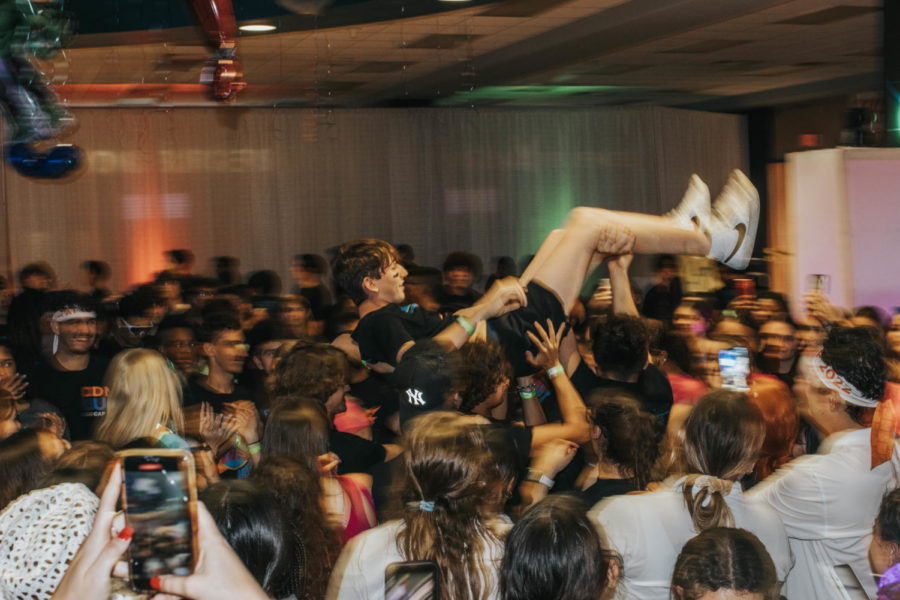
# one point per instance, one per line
(723, 435)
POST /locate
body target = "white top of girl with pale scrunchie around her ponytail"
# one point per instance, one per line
(649, 530)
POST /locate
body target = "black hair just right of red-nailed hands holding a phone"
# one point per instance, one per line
(257, 529)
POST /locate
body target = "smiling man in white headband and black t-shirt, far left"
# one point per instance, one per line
(71, 378)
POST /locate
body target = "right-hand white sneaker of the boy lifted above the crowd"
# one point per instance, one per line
(735, 217)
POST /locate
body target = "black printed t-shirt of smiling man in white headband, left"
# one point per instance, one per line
(79, 395)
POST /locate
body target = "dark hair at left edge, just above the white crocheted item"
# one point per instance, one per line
(22, 464)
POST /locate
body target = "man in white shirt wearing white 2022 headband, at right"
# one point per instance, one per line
(828, 501)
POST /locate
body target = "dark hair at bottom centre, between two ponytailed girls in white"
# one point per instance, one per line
(554, 553)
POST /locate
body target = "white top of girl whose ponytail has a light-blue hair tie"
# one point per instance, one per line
(359, 573)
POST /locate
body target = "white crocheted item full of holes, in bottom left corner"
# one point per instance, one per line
(40, 532)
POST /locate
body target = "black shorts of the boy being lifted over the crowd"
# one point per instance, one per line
(510, 329)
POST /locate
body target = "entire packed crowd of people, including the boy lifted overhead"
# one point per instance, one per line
(514, 440)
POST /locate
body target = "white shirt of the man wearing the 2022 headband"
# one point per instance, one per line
(828, 503)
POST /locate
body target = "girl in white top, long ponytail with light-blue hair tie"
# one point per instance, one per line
(449, 482)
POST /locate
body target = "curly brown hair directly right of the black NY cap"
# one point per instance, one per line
(483, 366)
